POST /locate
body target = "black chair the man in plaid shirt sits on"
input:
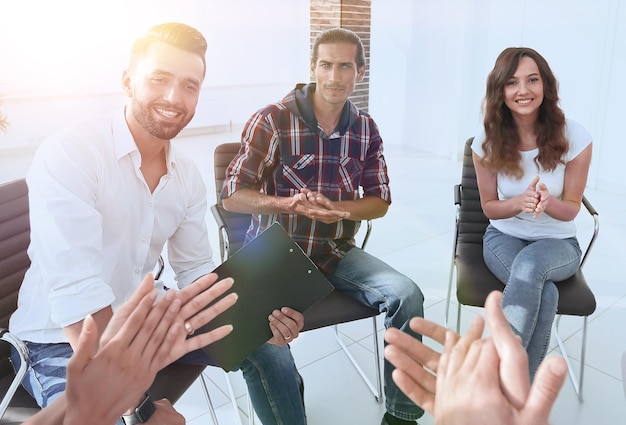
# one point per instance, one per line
(333, 310)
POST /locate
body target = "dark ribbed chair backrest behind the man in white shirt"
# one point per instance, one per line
(14, 261)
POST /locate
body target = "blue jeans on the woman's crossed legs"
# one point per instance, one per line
(530, 298)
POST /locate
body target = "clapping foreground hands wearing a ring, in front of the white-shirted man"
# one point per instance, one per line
(144, 335)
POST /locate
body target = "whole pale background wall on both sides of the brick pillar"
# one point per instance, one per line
(429, 63)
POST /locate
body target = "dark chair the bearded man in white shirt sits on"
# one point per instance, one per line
(17, 405)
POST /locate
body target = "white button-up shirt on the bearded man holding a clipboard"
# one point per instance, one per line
(97, 230)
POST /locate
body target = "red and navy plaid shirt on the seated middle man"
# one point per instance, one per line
(284, 150)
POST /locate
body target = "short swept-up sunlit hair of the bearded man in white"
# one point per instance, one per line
(175, 34)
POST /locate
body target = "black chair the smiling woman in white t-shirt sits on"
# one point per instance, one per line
(474, 281)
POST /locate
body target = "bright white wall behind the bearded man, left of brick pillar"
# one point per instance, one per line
(64, 59)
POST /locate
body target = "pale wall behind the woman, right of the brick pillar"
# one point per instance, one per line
(430, 62)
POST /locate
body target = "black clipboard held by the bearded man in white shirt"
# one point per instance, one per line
(270, 272)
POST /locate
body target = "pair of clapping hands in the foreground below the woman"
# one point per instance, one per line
(474, 379)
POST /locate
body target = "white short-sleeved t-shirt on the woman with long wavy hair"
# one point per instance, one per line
(524, 225)
